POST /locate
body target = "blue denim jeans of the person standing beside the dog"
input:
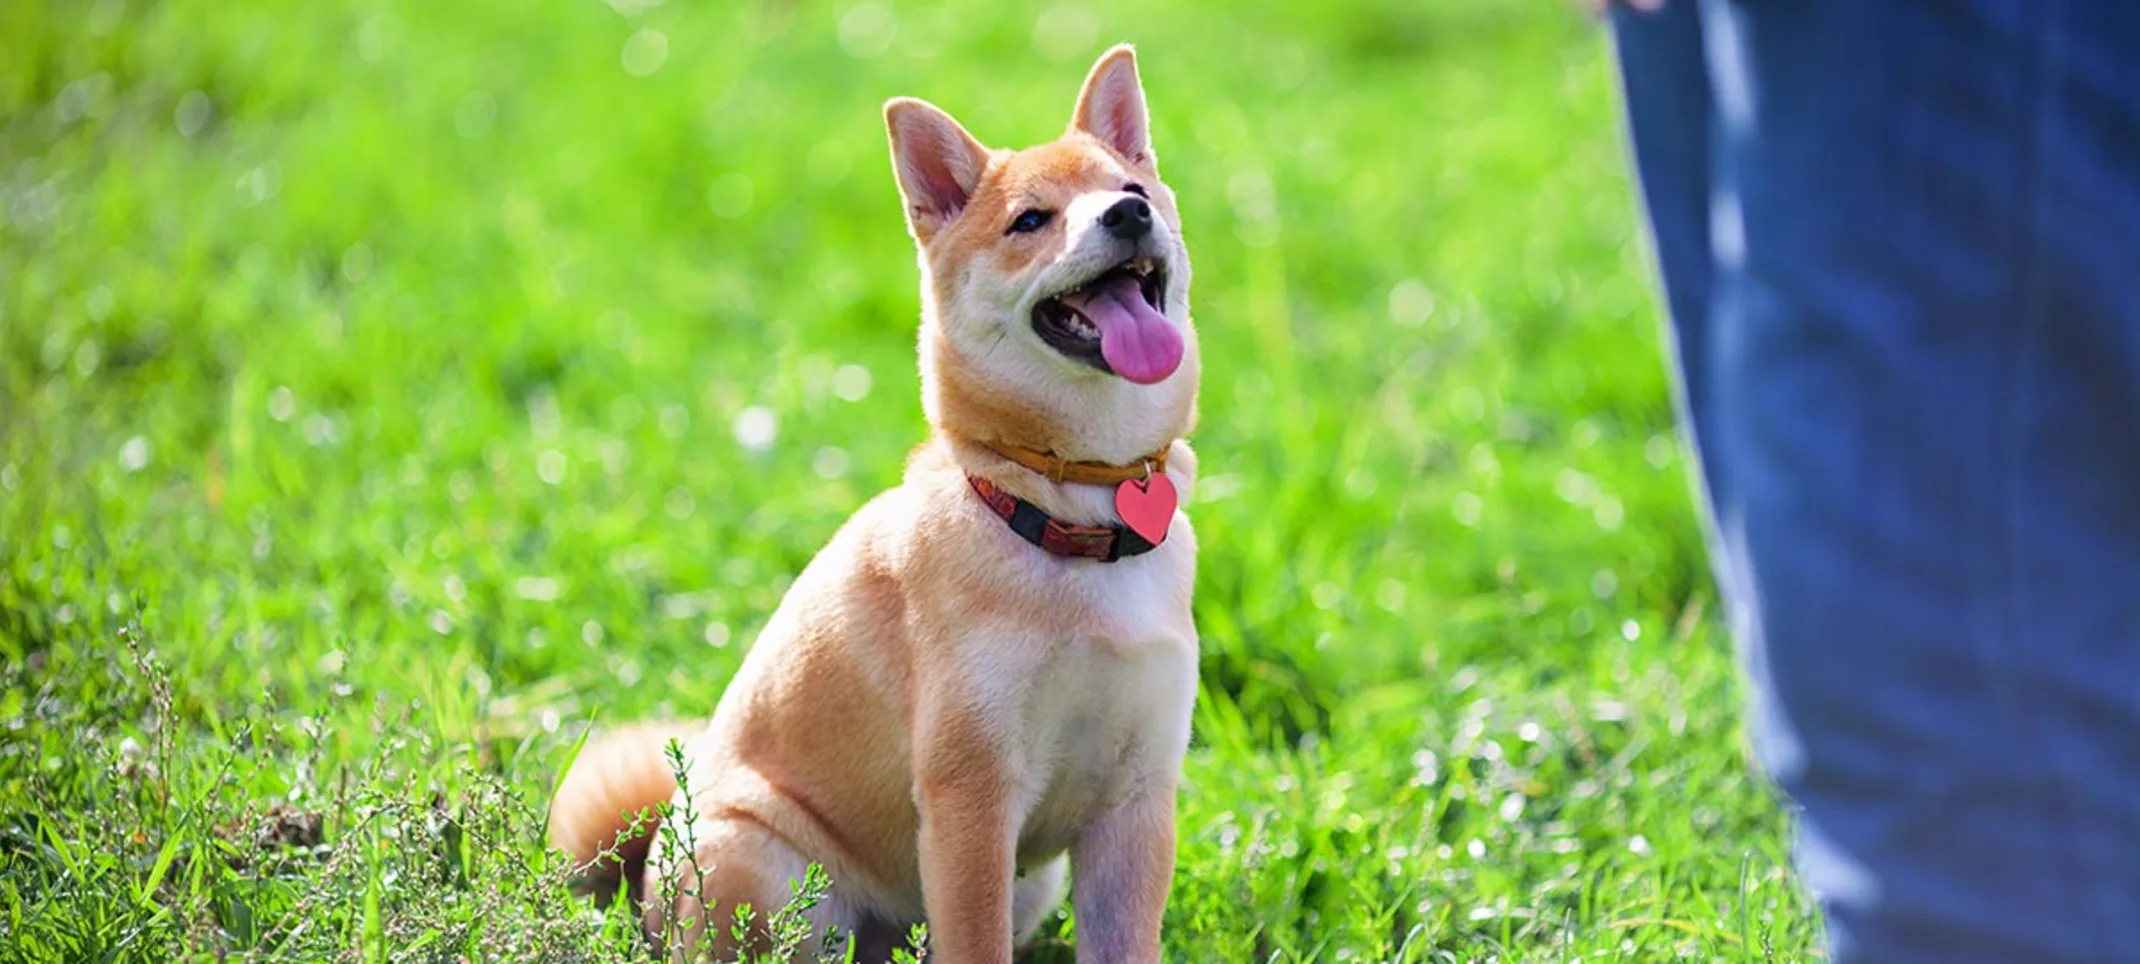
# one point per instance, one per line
(1901, 254)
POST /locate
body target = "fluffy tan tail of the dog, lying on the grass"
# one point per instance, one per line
(611, 789)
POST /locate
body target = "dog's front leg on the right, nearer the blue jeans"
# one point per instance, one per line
(1120, 873)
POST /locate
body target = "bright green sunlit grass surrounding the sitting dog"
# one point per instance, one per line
(369, 380)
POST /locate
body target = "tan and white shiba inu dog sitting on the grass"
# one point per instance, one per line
(985, 680)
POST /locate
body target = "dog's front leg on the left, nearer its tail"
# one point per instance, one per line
(966, 852)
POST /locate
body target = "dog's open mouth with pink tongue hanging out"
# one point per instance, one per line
(1116, 322)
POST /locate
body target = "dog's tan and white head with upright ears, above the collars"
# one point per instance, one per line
(1054, 280)
